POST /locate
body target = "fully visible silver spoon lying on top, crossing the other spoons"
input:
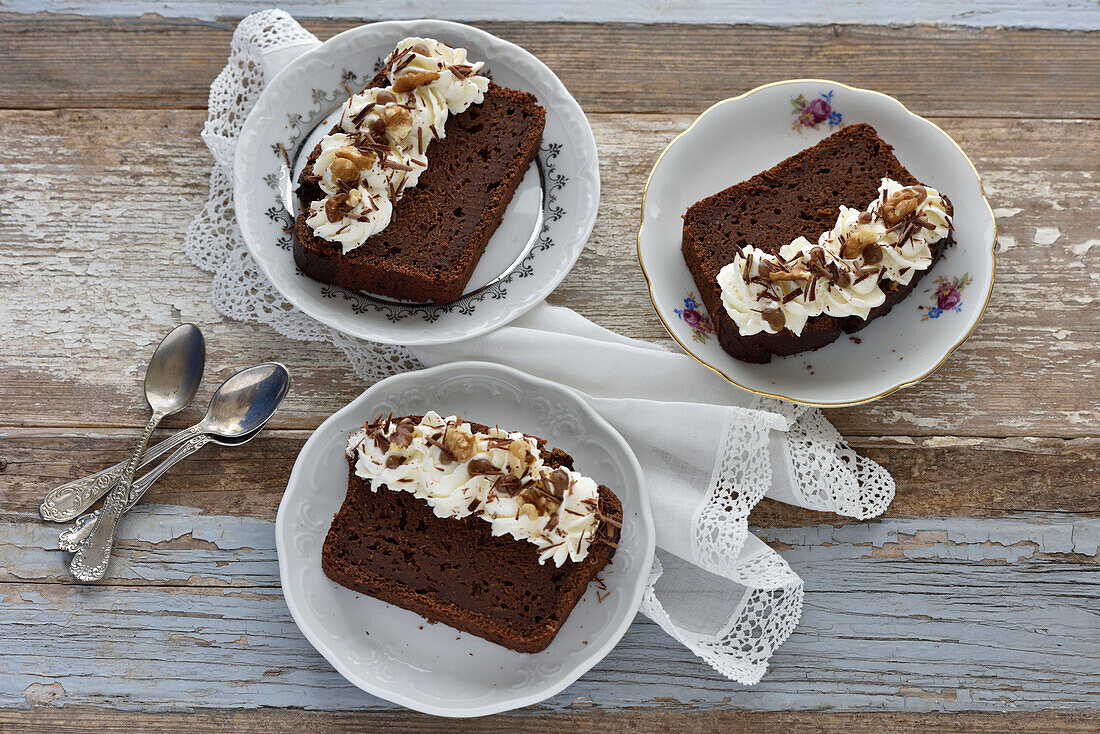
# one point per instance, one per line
(171, 382)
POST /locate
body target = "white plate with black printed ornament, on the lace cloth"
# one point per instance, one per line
(544, 229)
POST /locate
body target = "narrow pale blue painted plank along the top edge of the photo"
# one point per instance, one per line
(1065, 15)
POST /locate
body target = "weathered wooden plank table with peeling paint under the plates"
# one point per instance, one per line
(976, 596)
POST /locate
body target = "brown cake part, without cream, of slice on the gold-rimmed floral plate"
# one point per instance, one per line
(800, 196)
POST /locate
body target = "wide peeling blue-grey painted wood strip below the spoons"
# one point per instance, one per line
(903, 615)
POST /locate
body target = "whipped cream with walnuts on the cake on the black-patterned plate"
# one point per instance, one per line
(381, 149)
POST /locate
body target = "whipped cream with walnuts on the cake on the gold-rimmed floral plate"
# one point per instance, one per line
(843, 273)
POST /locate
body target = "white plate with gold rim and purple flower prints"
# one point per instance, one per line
(738, 139)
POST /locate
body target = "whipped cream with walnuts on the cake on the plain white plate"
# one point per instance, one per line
(501, 477)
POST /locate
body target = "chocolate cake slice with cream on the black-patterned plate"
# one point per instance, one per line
(403, 196)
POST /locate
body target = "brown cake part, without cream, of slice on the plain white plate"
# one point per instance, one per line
(391, 545)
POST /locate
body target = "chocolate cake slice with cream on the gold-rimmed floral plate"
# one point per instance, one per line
(820, 245)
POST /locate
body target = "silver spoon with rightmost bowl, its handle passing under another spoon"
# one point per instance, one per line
(245, 402)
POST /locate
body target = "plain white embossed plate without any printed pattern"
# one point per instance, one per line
(395, 654)
